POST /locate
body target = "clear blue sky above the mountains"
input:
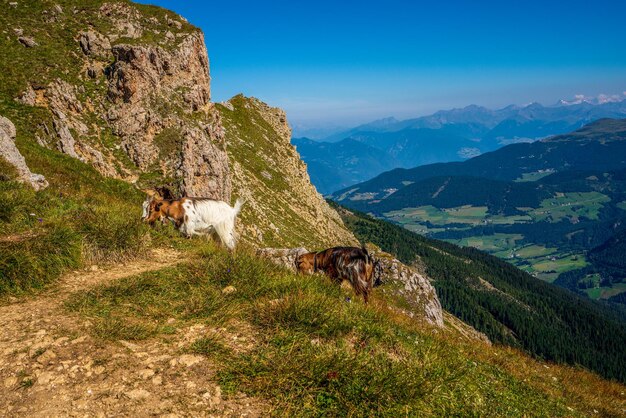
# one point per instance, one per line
(346, 62)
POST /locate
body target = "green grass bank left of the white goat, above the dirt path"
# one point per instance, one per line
(81, 218)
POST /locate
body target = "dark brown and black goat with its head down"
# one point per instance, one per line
(342, 263)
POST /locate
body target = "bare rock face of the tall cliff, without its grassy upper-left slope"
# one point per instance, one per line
(140, 112)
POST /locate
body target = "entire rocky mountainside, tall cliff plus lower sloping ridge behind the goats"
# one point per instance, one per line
(126, 88)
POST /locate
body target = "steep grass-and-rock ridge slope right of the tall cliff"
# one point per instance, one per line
(283, 208)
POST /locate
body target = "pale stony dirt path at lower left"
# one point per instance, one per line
(51, 366)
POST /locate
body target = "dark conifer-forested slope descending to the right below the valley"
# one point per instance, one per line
(508, 305)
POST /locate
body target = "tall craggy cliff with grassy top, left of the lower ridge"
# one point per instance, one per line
(123, 87)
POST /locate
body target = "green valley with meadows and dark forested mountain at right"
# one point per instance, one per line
(554, 207)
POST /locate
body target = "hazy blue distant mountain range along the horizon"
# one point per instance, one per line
(361, 153)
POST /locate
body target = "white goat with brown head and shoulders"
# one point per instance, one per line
(195, 216)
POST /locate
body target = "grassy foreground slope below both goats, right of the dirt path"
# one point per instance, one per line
(314, 354)
